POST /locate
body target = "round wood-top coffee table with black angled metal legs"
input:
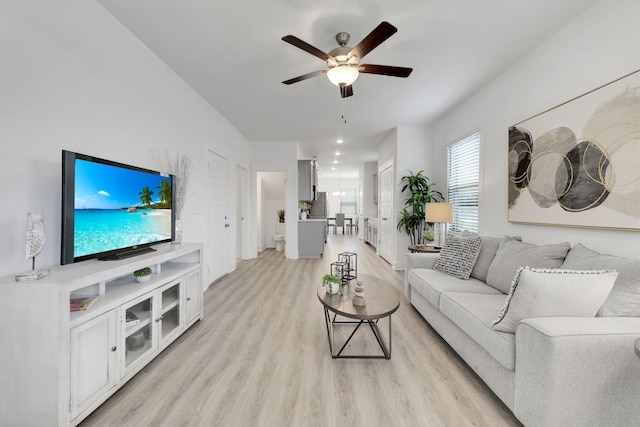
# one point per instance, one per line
(381, 299)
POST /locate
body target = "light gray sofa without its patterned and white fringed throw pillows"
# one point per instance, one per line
(553, 371)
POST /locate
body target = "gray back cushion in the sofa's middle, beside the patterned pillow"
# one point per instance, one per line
(513, 254)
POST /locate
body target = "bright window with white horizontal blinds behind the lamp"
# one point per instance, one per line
(463, 182)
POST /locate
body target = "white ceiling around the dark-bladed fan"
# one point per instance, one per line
(232, 54)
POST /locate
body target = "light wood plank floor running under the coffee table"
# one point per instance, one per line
(260, 357)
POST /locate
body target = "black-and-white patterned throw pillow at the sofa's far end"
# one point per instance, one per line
(458, 255)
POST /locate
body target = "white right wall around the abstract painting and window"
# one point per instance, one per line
(599, 46)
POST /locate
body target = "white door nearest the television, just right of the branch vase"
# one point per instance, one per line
(217, 251)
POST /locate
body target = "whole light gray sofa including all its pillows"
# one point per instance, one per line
(554, 341)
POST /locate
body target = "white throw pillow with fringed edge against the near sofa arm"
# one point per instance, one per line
(546, 292)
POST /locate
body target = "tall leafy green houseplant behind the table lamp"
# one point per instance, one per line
(420, 191)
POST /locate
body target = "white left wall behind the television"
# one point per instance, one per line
(72, 77)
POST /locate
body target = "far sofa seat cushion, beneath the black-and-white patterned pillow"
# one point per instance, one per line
(430, 284)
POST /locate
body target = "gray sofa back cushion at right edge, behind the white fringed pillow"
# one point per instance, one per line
(624, 299)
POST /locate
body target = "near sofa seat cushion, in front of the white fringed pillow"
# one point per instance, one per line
(473, 313)
